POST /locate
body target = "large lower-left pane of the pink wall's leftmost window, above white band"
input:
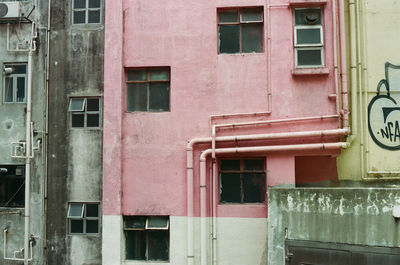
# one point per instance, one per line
(136, 97)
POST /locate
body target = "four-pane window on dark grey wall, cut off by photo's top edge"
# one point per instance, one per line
(86, 11)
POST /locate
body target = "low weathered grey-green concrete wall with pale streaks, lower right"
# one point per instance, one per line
(343, 215)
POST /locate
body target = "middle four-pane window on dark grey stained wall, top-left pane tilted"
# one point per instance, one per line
(84, 112)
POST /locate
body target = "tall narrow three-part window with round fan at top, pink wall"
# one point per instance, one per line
(308, 37)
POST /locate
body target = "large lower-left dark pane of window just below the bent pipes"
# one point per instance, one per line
(230, 187)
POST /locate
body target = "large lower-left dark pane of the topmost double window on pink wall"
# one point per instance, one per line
(229, 39)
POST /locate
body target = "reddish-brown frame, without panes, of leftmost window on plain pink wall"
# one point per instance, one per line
(148, 82)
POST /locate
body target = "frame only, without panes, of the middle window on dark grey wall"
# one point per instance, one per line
(85, 112)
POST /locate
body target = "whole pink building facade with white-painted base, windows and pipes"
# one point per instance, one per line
(206, 104)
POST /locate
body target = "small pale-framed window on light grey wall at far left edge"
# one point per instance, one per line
(14, 83)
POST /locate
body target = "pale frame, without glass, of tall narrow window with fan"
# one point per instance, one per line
(303, 47)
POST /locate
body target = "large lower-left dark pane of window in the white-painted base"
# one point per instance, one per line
(135, 245)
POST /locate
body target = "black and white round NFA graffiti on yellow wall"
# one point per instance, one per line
(384, 110)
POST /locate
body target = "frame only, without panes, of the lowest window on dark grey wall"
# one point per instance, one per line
(85, 218)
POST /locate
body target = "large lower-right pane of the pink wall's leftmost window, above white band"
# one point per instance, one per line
(159, 96)
